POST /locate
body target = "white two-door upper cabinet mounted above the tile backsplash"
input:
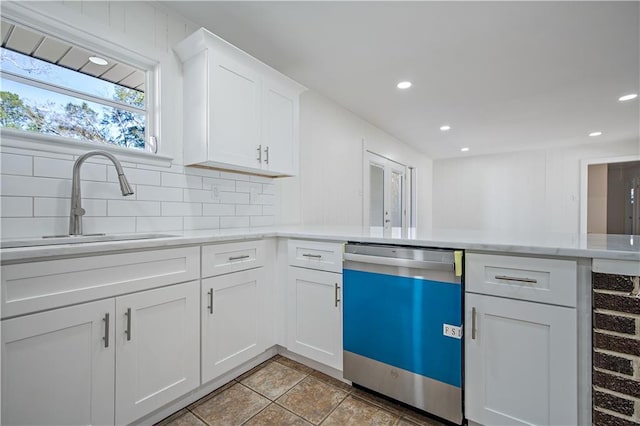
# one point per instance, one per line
(239, 114)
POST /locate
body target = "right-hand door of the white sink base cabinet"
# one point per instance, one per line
(158, 348)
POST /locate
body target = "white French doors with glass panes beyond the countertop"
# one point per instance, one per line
(385, 195)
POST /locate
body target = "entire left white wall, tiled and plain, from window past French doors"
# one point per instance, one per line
(36, 183)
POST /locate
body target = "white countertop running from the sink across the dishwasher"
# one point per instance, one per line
(618, 247)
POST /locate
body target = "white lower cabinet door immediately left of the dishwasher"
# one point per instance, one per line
(315, 315)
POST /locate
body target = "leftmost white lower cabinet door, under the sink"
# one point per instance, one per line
(58, 366)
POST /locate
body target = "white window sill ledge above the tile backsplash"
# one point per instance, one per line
(48, 143)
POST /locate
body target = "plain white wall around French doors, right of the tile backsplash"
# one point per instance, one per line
(329, 190)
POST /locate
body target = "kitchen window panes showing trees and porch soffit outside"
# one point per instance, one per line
(58, 89)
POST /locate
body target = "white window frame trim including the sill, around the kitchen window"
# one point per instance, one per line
(22, 15)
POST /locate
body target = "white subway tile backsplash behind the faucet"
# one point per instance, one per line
(36, 187)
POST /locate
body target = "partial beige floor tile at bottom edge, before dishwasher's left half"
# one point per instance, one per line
(354, 411)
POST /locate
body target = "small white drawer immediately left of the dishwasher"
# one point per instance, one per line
(316, 255)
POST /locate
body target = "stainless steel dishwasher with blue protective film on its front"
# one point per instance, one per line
(402, 325)
